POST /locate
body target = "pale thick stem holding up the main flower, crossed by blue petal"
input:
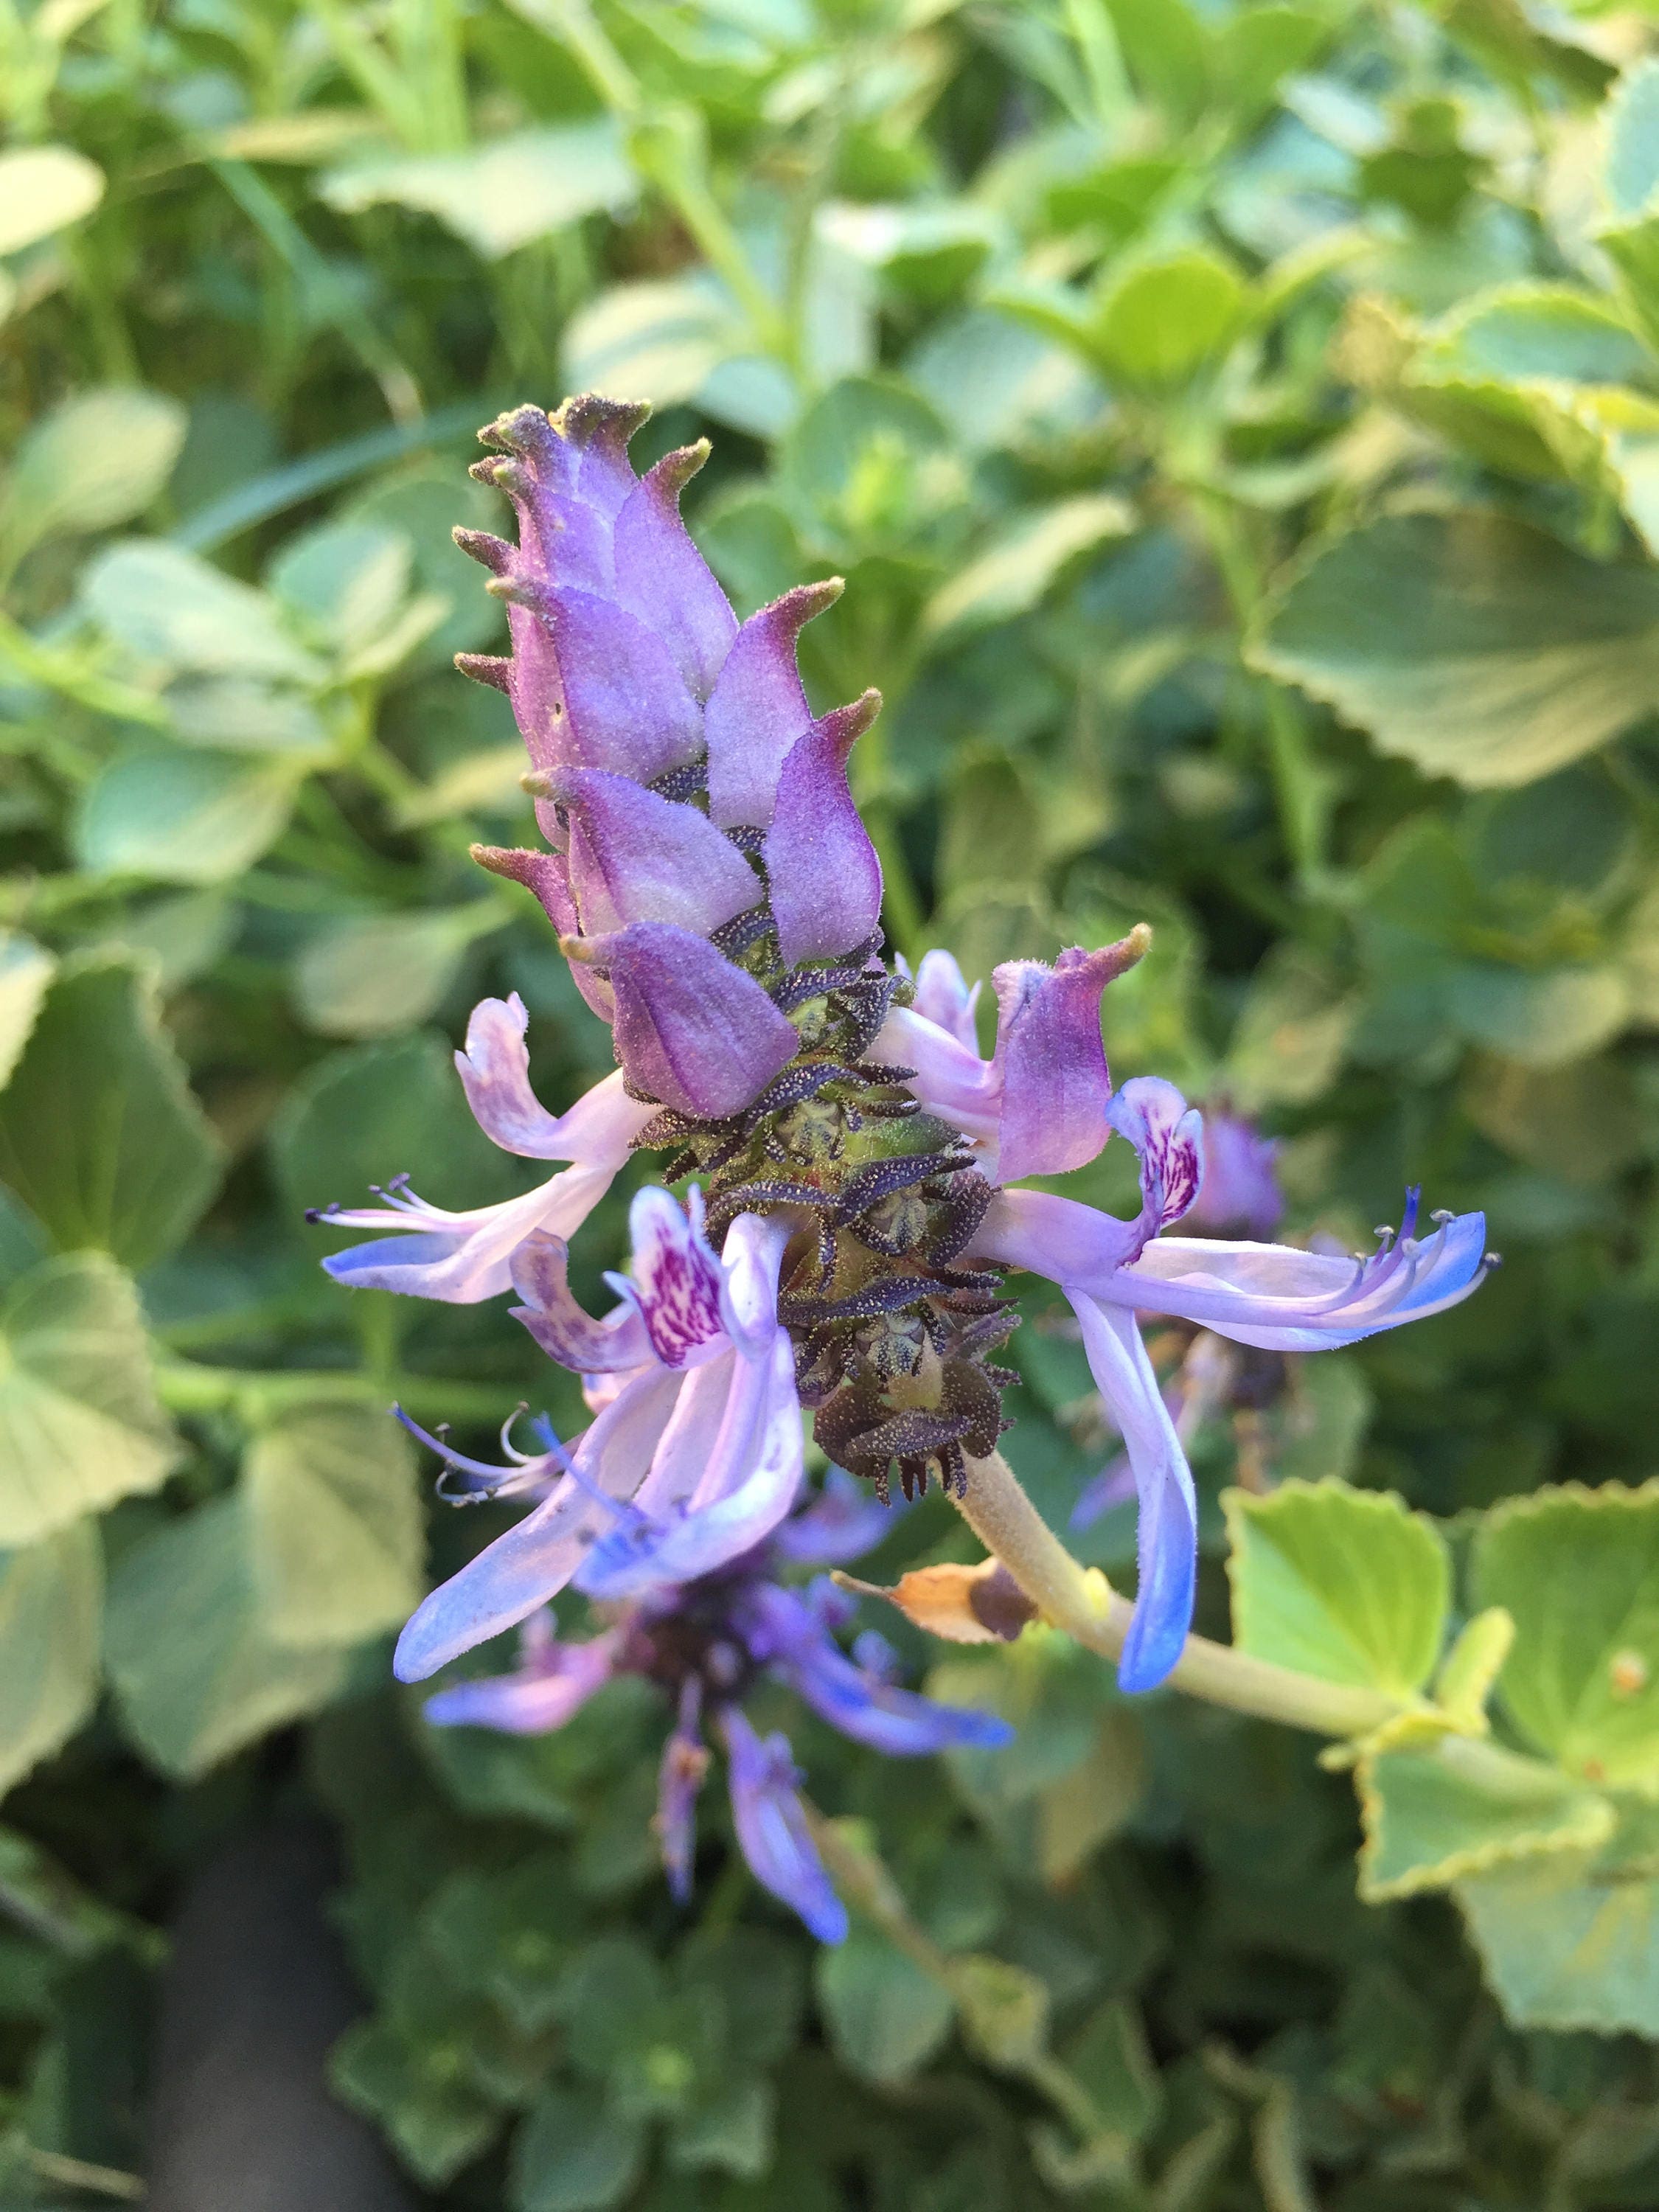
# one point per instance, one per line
(1083, 1603)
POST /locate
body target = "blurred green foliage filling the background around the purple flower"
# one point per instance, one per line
(1240, 432)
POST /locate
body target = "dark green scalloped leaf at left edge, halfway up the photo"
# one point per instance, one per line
(101, 1134)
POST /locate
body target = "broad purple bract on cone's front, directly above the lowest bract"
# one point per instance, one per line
(638, 857)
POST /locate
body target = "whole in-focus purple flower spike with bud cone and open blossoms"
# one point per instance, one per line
(848, 1156)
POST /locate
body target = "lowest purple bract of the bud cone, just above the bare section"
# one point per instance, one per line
(693, 1030)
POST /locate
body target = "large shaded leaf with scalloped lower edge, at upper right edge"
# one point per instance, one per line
(1477, 647)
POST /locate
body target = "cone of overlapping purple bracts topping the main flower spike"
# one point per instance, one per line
(682, 782)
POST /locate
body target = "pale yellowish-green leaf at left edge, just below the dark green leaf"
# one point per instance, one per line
(79, 1417)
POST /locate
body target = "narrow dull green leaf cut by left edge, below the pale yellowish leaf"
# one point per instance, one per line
(52, 1600)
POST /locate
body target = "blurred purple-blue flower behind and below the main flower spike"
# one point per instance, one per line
(707, 1642)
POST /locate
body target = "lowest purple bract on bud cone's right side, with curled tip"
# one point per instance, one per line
(820, 862)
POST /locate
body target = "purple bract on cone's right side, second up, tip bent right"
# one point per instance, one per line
(760, 709)
